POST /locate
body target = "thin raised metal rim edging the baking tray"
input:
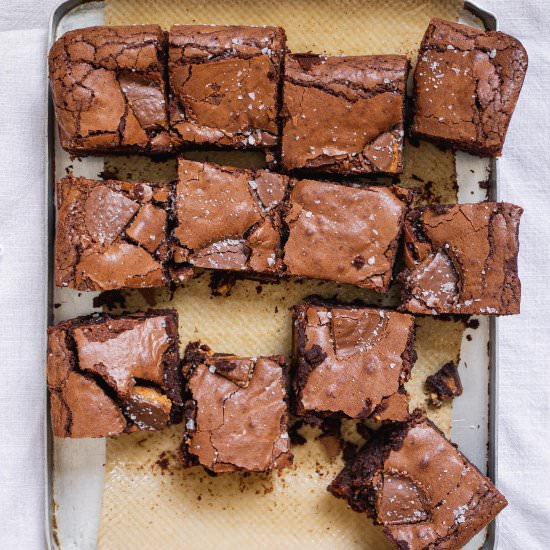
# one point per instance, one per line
(59, 11)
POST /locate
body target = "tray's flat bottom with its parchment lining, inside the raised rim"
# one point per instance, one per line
(131, 492)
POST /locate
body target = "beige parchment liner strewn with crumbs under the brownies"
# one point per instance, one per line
(149, 501)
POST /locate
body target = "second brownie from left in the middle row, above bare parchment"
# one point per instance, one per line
(228, 218)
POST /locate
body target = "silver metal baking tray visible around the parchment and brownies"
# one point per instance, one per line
(74, 468)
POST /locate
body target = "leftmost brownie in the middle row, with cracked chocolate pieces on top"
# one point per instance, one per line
(110, 234)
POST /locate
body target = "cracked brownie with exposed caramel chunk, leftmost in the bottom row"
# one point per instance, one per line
(111, 375)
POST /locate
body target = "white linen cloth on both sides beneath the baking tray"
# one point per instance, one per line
(524, 340)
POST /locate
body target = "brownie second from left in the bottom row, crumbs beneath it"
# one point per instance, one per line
(236, 416)
